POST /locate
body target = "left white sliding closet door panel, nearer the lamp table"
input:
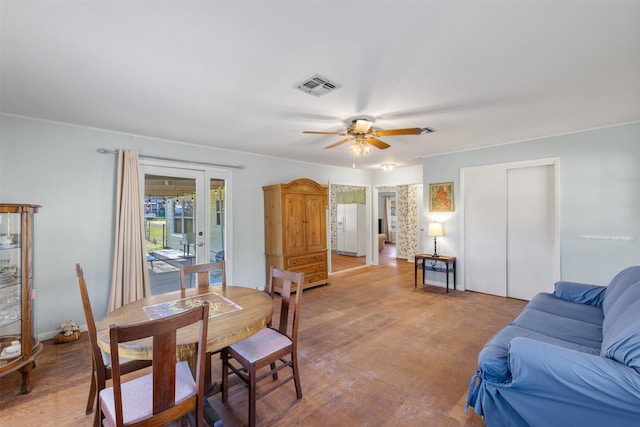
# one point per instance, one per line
(485, 252)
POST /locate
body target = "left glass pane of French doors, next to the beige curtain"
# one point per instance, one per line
(170, 234)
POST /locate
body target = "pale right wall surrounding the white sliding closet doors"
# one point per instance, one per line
(599, 196)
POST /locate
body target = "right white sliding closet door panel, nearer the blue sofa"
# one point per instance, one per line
(530, 231)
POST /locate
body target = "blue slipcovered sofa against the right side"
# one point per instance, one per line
(571, 358)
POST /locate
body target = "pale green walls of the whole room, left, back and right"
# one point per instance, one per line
(57, 166)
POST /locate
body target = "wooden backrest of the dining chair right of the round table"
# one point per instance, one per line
(287, 278)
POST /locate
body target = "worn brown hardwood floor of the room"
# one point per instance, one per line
(373, 351)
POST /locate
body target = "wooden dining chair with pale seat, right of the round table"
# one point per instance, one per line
(272, 348)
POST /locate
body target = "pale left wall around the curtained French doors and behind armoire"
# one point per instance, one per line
(57, 166)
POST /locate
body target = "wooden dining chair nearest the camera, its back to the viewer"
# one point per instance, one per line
(170, 391)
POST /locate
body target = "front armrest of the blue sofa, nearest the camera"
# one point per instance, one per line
(570, 384)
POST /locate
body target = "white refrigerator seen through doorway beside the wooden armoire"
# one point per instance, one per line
(351, 238)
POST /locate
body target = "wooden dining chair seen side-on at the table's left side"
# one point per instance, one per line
(100, 360)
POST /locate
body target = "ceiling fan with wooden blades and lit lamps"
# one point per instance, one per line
(364, 135)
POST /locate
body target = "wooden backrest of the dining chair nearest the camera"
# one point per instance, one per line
(163, 331)
